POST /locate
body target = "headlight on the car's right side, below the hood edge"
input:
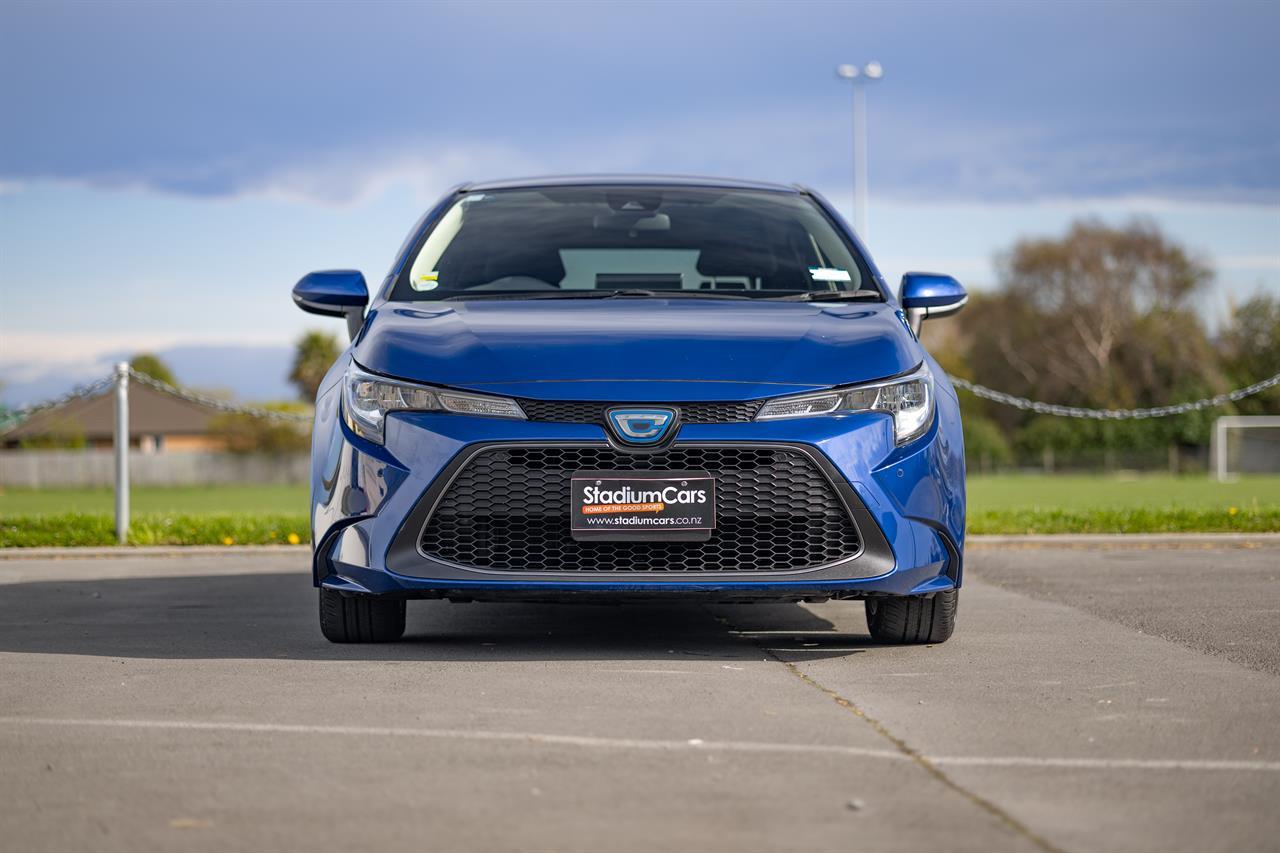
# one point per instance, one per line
(909, 399)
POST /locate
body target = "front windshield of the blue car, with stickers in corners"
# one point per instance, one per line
(600, 241)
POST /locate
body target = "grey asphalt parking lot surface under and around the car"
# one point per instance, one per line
(1092, 700)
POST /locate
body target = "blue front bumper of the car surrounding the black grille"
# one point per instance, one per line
(372, 503)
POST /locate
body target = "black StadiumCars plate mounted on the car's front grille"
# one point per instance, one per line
(628, 507)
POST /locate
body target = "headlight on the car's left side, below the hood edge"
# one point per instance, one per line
(367, 400)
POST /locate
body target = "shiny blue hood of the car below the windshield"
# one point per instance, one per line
(633, 349)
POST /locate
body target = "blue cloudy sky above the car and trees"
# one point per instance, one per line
(168, 171)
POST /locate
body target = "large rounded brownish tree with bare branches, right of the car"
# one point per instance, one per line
(1103, 317)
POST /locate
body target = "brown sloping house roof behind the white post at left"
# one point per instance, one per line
(152, 413)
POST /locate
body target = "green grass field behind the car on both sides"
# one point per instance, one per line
(998, 504)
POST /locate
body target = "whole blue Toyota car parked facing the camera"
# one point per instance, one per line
(611, 389)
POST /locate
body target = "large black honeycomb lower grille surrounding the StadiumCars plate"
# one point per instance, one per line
(508, 510)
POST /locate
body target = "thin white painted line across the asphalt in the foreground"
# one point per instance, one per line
(644, 743)
